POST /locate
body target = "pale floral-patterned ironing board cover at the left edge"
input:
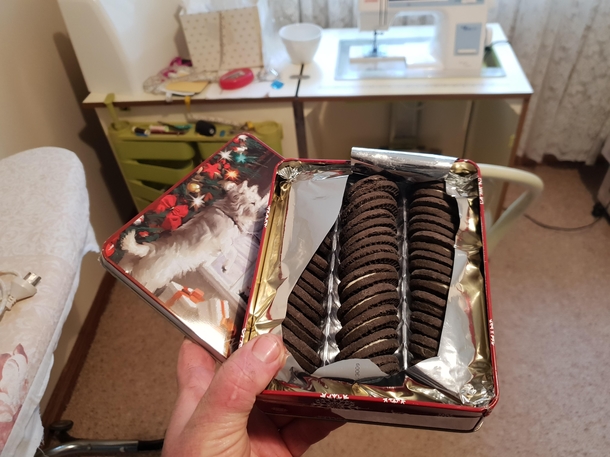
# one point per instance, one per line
(45, 229)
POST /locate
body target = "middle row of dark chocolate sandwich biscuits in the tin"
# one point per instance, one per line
(369, 274)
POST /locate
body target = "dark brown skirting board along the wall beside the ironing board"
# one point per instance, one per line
(67, 381)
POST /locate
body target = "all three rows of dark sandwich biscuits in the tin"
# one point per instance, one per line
(369, 273)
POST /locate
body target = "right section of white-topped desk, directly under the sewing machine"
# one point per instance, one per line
(479, 118)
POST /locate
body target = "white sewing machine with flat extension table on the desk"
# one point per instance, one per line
(454, 46)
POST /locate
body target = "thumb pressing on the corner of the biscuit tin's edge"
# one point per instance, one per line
(227, 404)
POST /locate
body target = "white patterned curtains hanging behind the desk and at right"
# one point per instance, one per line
(564, 48)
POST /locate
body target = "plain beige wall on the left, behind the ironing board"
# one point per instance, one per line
(40, 87)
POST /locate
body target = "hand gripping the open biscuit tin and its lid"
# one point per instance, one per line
(214, 414)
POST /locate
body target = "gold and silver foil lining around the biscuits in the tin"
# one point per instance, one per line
(306, 202)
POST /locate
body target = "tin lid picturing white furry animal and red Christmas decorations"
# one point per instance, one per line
(191, 254)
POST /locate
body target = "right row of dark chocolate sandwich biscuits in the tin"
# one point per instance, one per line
(432, 226)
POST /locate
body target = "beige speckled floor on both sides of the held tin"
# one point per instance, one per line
(551, 293)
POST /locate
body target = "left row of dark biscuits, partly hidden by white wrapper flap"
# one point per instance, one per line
(306, 310)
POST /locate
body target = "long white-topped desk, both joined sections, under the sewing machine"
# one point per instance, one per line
(476, 118)
